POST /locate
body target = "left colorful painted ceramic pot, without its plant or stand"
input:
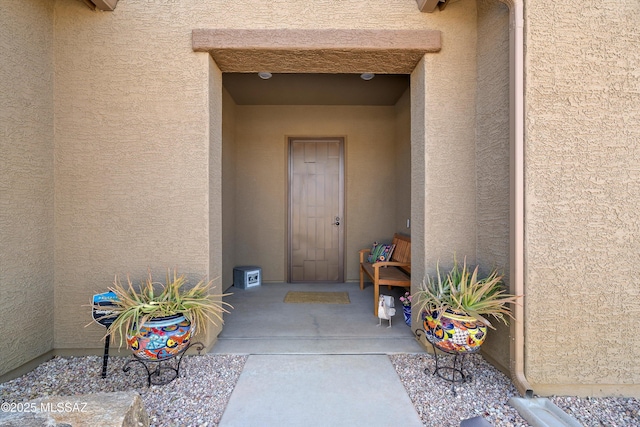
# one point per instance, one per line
(161, 338)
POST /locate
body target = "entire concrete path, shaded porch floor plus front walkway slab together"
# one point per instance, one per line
(315, 364)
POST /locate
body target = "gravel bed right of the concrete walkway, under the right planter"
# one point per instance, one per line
(487, 395)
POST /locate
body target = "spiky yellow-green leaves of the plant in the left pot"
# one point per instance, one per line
(154, 299)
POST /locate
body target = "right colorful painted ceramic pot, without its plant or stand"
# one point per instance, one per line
(454, 333)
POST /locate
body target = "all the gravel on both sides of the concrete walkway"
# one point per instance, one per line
(200, 395)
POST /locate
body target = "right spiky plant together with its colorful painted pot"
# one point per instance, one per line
(455, 306)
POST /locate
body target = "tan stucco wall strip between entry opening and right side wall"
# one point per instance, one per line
(443, 176)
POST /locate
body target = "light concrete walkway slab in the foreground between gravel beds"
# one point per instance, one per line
(319, 390)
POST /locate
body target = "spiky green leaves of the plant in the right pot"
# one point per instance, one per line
(462, 292)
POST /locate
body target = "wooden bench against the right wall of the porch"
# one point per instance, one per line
(396, 272)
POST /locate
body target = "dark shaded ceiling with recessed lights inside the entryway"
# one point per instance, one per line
(315, 89)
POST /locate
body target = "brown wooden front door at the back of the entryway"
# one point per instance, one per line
(316, 209)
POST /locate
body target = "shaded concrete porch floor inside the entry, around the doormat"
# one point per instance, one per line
(262, 323)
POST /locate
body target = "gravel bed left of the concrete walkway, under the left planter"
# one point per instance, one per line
(197, 398)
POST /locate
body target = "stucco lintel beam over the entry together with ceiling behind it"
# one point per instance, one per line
(316, 67)
